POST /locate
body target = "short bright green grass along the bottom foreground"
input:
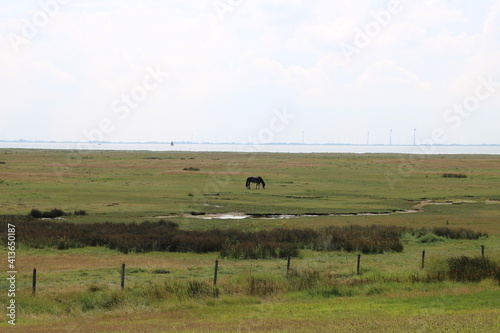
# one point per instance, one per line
(431, 308)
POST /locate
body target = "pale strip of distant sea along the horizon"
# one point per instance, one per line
(266, 148)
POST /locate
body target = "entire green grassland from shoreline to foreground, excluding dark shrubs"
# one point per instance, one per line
(79, 289)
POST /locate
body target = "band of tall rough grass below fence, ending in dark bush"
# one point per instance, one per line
(303, 283)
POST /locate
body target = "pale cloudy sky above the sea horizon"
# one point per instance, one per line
(251, 71)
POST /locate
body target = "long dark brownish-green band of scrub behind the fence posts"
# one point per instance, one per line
(274, 243)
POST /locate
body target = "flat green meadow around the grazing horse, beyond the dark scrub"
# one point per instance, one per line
(297, 183)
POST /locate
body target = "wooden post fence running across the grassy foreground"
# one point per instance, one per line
(341, 262)
